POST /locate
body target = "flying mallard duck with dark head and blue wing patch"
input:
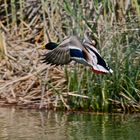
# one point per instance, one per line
(72, 49)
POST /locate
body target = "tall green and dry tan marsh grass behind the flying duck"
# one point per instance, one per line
(114, 25)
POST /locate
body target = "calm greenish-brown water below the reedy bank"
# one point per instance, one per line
(18, 124)
